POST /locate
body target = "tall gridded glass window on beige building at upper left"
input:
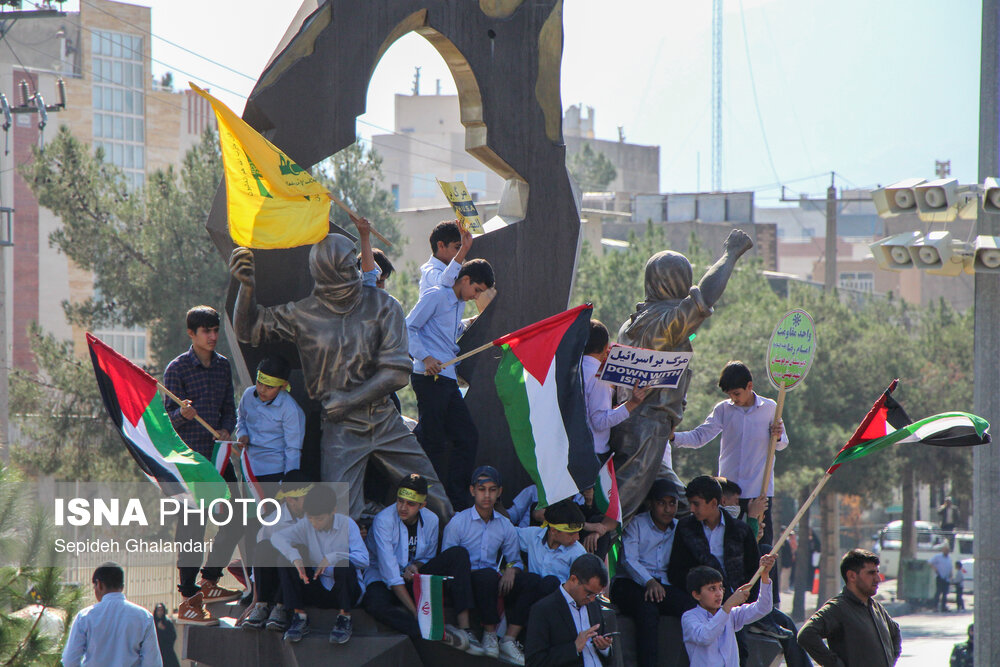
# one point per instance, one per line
(119, 111)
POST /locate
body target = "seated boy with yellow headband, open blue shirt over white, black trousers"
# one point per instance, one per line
(402, 544)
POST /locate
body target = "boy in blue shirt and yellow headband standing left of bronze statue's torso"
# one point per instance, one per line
(270, 423)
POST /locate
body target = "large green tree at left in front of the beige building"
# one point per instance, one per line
(148, 249)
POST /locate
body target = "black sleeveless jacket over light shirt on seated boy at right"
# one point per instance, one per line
(739, 550)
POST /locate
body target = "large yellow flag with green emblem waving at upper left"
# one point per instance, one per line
(272, 202)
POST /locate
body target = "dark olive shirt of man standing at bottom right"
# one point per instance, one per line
(858, 635)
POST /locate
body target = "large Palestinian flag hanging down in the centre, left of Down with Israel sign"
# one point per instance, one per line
(539, 383)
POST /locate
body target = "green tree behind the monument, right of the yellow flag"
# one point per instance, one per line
(353, 174)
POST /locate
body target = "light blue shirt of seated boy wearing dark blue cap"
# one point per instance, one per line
(485, 541)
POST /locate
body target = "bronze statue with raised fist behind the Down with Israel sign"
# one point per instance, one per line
(672, 311)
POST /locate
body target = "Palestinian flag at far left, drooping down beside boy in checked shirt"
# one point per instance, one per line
(130, 398)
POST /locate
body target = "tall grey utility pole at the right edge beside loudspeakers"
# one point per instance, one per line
(986, 382)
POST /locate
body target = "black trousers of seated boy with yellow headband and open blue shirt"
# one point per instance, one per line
(383, 605)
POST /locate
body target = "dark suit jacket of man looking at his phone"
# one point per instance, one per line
(552, 632)
